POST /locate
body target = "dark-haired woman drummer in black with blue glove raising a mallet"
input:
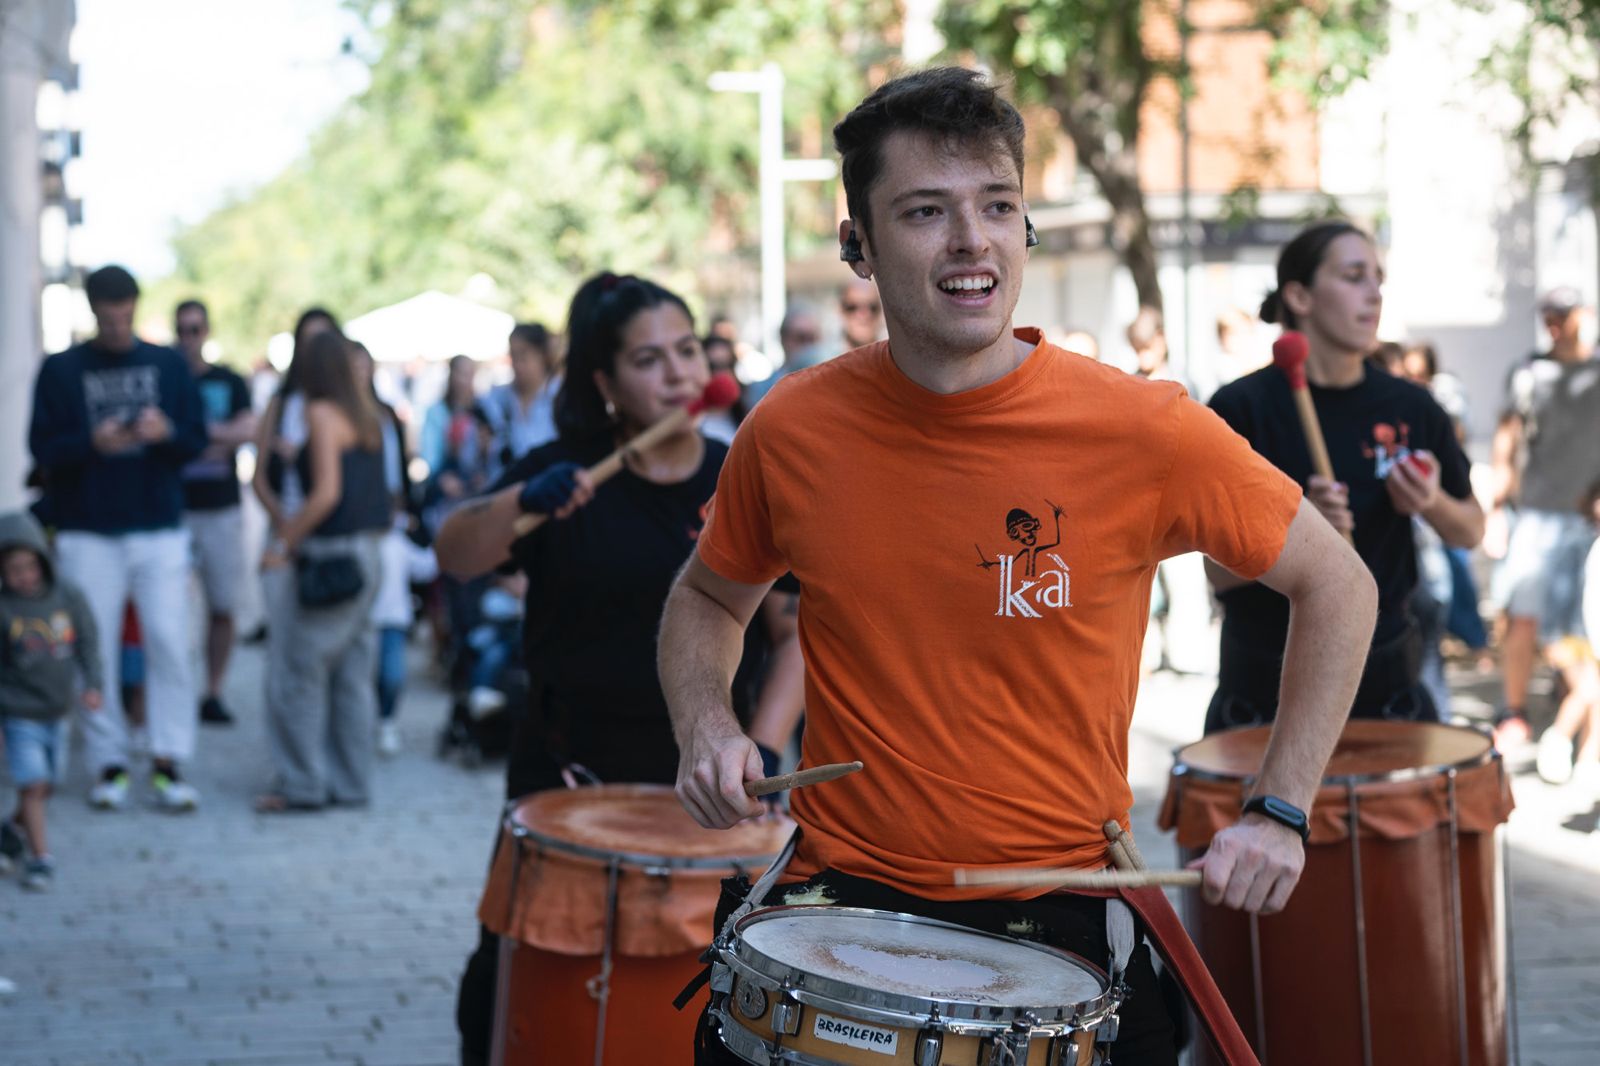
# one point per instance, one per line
(601, 569)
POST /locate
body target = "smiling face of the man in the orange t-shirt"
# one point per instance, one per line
(948, 244)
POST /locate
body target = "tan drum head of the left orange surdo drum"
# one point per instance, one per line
(642, 825)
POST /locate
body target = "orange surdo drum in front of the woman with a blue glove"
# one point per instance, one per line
(604, 902)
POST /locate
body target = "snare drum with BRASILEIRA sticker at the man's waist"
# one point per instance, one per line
(849, 987)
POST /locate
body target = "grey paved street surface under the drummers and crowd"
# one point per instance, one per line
(297, 940)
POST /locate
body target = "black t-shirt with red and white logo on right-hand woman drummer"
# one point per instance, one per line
(1369, 430)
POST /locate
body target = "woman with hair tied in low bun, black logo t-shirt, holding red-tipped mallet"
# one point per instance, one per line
(1396, 460)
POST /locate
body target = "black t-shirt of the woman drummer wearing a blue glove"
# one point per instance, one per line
(598, 583)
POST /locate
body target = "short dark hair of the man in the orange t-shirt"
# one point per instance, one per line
(951, 103)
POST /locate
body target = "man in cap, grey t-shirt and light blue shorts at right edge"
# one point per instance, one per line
(1546, 457)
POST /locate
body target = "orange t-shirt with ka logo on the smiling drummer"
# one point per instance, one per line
(975, 577)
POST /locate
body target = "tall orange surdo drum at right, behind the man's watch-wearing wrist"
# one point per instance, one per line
(1393, 948)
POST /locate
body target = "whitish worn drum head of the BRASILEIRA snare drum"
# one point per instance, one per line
(900, 955)
